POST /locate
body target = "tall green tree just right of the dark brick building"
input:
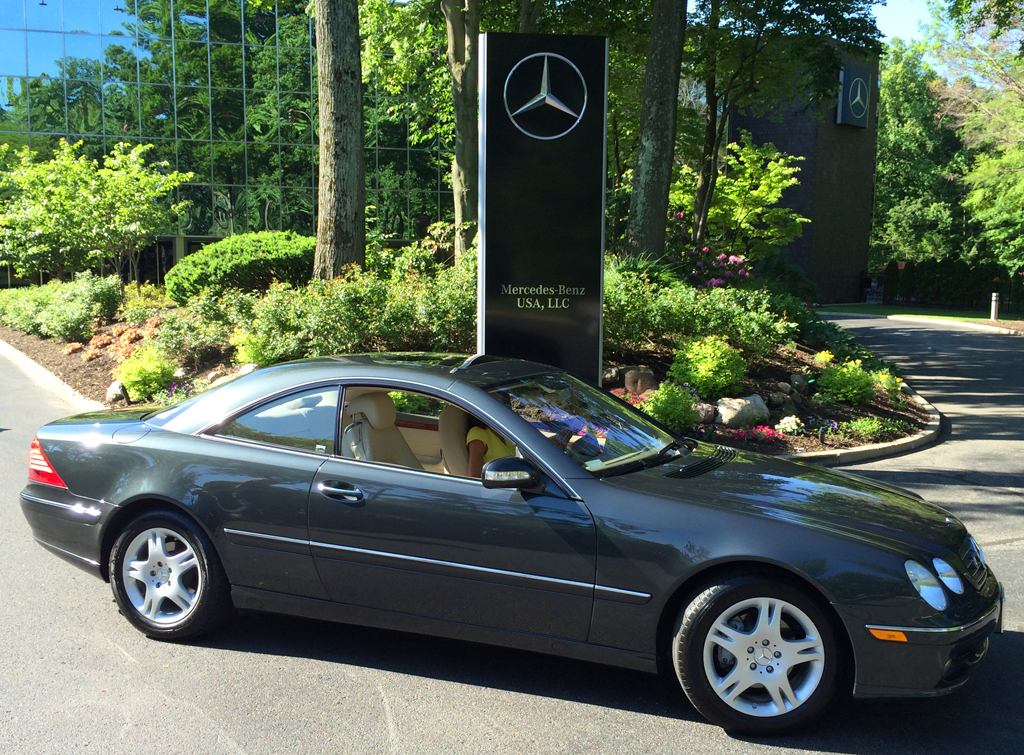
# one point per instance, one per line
(918, 209)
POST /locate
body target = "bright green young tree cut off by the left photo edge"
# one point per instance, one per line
(48, 221)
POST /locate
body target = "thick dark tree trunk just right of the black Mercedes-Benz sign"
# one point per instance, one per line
(656, 146)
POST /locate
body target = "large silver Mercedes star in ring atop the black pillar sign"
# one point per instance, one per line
(545, 115)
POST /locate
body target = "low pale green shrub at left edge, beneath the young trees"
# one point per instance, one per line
(65, 311)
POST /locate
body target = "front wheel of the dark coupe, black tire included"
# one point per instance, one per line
(746, 673)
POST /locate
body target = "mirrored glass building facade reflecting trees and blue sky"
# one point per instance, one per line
(226, 90)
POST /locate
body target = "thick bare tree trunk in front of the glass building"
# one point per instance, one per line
(342, 230)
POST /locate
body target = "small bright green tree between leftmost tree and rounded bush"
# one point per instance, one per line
(132, 205)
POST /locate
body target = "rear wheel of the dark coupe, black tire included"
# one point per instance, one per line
(178, 590)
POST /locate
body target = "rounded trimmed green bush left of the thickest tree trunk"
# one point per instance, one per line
(246, 262)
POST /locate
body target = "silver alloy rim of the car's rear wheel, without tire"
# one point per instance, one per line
(162, 576)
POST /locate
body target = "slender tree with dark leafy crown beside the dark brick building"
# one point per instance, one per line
(760, 55)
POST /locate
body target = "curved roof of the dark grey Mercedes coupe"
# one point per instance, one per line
(439, 371)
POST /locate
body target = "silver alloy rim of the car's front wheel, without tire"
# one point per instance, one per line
(764, 657)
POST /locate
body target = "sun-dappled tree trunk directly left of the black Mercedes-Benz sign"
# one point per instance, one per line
(462, 19)
